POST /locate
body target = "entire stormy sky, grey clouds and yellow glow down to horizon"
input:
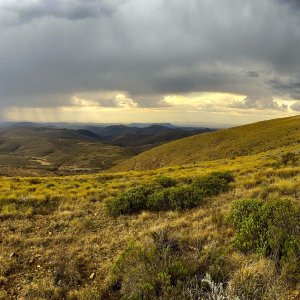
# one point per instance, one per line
(123, 61)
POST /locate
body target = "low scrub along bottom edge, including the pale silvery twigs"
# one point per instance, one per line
(165, 267)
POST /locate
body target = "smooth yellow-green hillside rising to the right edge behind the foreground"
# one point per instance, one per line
(226, 143)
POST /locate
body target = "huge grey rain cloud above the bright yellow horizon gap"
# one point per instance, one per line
(145, 49)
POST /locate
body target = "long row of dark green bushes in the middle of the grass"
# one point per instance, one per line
(166, 196)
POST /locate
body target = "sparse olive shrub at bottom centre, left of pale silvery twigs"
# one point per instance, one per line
(150, 271)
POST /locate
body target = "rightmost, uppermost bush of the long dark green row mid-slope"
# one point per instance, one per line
(213, 184)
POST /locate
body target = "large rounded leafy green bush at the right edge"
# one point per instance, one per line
(270, 228)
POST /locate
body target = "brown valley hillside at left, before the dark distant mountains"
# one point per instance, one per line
(36, 150)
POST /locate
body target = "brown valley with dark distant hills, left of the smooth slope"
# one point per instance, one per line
(31, 148)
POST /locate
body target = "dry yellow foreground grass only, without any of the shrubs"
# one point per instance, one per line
(57, 241)
